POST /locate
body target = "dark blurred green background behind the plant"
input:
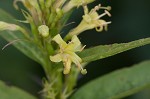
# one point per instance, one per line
(130, 21)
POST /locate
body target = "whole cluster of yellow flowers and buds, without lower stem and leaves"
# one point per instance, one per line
(47, 18)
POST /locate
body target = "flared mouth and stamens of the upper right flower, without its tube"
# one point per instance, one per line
(93, 20)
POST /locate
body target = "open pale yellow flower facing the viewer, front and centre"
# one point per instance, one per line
(67, 54)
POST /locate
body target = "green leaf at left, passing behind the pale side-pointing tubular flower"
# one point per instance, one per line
(28, 48)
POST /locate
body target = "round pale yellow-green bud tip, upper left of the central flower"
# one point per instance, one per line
(43, 30)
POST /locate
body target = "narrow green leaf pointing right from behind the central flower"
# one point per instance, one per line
(103, 51)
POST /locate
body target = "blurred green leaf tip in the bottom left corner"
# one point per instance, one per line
(11, 92)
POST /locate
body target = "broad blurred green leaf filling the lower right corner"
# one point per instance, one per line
(117, 84)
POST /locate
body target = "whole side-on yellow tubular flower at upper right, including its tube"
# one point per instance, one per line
(91, 19)
